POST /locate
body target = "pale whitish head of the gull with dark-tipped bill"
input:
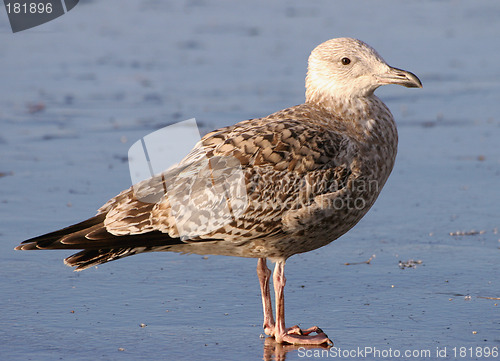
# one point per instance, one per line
(348, 68)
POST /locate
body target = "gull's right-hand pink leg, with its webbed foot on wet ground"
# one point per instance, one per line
(293, 335)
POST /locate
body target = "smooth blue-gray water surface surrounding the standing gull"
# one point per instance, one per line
(109, 72)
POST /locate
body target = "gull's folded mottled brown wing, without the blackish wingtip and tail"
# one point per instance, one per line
(283, 162)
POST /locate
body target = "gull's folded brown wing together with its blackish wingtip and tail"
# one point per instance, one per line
(284, 164)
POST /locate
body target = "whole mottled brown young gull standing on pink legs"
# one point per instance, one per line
(305, 176)
